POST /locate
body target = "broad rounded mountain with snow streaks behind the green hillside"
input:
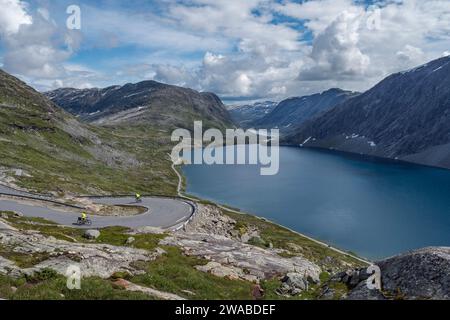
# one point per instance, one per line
(143, 103)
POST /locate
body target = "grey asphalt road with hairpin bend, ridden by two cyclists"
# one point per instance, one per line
(165, 213)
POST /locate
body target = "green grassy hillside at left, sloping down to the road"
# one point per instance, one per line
(44, 148)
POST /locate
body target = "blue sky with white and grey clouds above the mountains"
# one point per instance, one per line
(241, 50)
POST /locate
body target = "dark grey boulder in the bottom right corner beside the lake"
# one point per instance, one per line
(421, 274)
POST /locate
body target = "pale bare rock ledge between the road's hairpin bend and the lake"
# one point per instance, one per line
(214, 237)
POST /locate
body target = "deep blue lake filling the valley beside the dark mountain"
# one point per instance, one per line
(372, 207)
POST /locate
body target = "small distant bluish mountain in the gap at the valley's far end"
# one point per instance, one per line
(246, 115)
